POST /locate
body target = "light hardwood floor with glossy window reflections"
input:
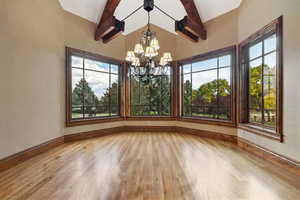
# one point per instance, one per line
(148, 166)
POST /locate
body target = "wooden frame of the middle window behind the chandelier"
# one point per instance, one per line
(171, 117)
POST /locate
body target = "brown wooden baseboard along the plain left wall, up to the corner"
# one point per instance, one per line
(20, 157)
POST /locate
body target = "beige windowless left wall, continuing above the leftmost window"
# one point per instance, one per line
(33, 36)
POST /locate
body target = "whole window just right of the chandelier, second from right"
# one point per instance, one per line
(207, 86)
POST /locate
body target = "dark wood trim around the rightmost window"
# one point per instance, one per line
(275, 27)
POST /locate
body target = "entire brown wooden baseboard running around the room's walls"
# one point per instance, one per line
(282, 161)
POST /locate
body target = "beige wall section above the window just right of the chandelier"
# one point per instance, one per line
(221, 32)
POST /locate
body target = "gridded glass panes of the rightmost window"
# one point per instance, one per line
(264, 112)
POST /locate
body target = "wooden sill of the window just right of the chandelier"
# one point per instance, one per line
(217, 122)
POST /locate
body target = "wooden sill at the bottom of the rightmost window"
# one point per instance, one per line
(261, 131)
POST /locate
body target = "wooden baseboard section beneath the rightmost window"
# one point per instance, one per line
(266, 154)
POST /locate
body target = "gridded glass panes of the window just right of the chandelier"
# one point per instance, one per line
(205, 102)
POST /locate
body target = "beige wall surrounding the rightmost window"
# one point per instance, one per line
(253, 15)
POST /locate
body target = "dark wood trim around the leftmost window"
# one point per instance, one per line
(77, 122)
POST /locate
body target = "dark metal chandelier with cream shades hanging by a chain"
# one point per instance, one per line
(143, 58)
